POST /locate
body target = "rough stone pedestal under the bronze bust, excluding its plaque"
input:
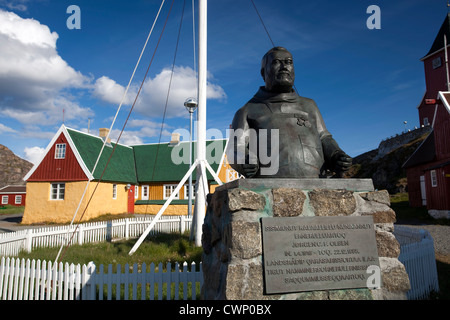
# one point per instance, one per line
(232, 239)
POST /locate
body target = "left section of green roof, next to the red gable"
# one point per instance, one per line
(121, 167)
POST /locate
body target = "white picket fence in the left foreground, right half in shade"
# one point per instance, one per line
(41, 280)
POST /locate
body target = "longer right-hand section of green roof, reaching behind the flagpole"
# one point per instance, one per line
(160, 162)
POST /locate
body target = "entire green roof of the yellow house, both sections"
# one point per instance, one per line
(142, 163)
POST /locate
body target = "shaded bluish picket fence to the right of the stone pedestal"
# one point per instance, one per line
(418, 257)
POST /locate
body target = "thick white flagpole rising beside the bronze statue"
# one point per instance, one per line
(200, 197)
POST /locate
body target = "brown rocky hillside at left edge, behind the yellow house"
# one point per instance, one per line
(12, 168)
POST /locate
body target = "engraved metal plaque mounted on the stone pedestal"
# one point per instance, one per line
(318, 253)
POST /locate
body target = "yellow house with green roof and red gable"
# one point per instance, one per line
(128, 179)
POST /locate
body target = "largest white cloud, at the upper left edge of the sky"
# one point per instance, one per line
(32, 74)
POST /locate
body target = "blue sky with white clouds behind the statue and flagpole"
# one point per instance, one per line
(365, 82)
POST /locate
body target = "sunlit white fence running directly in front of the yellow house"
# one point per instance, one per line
(13, 242)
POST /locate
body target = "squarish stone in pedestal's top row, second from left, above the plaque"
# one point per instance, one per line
(287, 202)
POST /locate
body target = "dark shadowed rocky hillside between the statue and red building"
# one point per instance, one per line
(384, 164)
